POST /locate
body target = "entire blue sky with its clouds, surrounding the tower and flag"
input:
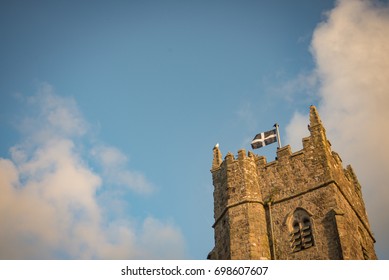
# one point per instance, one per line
(109, 111)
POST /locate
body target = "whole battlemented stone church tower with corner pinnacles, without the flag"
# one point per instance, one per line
(303, 205)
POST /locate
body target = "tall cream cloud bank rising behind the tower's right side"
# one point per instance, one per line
(351, 51)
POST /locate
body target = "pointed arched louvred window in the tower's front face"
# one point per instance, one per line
(300, 226)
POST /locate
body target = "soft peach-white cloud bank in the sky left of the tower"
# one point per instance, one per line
(53, 205)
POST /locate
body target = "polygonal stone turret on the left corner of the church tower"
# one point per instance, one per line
(240, 223)
